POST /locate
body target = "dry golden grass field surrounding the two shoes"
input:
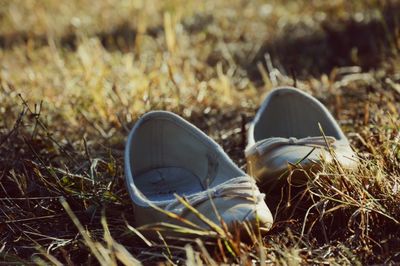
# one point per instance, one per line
(75, 76)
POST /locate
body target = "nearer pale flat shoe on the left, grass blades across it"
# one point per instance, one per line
(167, 156)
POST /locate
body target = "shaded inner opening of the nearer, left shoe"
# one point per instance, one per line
(168, 156)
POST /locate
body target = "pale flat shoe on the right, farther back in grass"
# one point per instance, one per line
(286, 131)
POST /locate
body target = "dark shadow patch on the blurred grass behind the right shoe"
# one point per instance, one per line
(337, 43)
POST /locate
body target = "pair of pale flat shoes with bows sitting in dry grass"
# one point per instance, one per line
(173, 167)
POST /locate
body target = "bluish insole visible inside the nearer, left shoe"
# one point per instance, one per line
(162, 183)
